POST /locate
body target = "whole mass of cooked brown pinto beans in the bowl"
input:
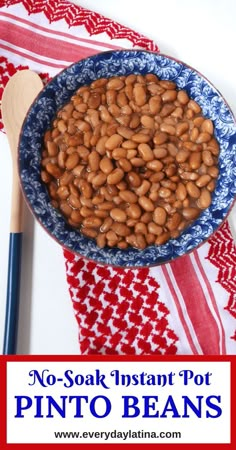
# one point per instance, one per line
(130, 160)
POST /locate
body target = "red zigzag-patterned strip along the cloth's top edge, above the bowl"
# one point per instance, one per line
(75, 15)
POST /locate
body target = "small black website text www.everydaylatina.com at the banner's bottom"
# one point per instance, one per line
(119, 435)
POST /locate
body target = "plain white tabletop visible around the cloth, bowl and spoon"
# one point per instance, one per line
(201, 33)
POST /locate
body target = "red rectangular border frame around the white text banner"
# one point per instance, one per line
(115, 446)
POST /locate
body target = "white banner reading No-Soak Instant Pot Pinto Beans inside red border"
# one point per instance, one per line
(115, 401)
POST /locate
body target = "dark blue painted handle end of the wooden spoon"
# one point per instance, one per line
(13, 294)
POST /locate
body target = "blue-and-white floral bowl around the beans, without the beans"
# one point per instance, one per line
(108, 64)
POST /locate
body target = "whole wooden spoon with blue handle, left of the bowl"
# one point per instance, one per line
(18, 95)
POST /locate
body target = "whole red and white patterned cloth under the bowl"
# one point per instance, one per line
(185, 307)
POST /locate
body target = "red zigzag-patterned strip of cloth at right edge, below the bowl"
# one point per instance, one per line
(222, 255)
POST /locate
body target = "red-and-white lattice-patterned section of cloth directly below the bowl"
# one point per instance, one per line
(118, 310)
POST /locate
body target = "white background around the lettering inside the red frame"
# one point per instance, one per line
(193, 429)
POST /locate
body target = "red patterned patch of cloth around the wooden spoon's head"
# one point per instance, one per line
(7, 69)
